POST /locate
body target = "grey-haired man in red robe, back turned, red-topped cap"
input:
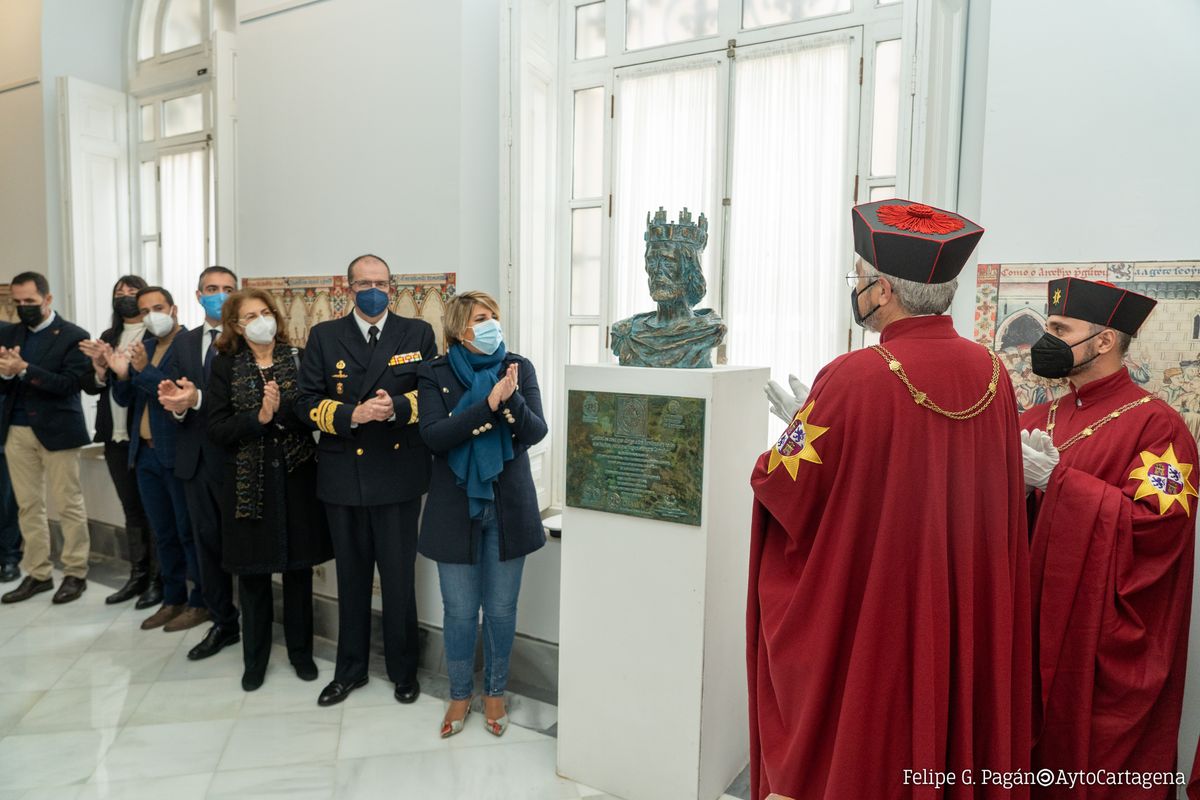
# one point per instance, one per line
(889, 622)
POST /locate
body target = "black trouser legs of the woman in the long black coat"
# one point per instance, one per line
(259, 615)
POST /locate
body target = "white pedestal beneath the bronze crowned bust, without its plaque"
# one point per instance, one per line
(652, 700)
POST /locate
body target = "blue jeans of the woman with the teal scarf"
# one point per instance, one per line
(490, 585)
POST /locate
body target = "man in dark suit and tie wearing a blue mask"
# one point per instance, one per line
(199, 461)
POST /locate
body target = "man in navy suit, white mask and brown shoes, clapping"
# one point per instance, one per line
(153, 434)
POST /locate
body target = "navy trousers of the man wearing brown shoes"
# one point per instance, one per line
(163, 497)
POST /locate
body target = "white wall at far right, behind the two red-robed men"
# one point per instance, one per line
(1081, 146)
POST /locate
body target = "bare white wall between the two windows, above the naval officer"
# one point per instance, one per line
(368, 127)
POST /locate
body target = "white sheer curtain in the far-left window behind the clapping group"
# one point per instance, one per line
(184, 230)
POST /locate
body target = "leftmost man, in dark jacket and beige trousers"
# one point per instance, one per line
(44, 429)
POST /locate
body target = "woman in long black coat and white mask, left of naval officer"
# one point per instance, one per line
(273, 521)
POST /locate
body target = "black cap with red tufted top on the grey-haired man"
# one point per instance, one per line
(914, 242)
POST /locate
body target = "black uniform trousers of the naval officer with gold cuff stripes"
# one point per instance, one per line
(363, 538)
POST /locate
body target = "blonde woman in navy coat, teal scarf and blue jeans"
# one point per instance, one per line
(481, 413)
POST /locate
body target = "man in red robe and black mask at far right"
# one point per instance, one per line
(1114, 473)
